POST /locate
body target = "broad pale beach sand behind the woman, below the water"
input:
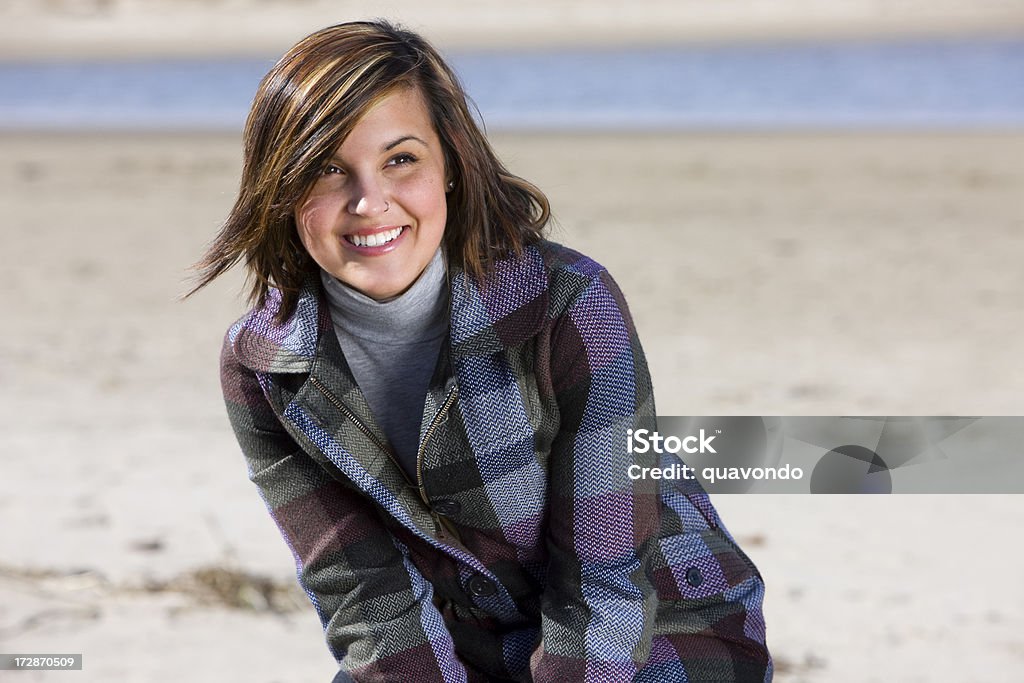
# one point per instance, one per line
(815, 275)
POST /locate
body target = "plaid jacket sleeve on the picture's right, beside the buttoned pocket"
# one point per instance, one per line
(600, 606)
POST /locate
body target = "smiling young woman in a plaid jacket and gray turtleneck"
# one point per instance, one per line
(434, 401)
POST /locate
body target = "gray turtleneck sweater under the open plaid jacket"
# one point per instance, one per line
(393, 349)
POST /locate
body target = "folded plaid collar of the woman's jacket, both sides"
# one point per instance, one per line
(509, 308)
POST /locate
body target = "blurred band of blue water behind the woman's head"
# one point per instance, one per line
(948, 84)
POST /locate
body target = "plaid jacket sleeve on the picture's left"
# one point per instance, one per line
(376, 609)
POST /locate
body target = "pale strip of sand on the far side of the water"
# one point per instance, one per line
(55, 29)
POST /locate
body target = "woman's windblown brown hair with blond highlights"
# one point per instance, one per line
(305, 109)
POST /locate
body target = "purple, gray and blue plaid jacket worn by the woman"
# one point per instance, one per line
(523, 551)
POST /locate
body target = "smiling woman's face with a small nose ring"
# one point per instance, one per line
(376, 215)
